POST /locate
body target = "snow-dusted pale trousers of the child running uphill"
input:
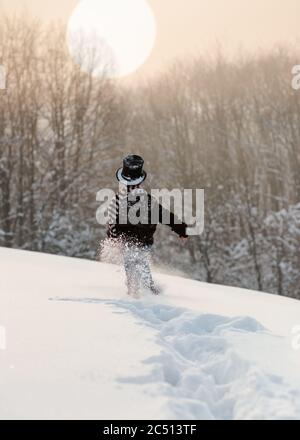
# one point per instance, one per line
(137, 268)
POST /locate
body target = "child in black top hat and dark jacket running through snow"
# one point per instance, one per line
(136, 238)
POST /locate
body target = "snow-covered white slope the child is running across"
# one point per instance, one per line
(78, 347)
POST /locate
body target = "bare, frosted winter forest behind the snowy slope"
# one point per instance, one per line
(229, 126)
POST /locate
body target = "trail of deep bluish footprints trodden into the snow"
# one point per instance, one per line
(198, 369)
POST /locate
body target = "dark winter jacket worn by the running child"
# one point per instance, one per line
(142, 232)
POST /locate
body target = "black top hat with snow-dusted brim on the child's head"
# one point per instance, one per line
(132, 172)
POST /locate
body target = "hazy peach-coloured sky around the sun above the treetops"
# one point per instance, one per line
(187, 26)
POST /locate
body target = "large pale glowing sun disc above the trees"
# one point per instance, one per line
(111, 38)
